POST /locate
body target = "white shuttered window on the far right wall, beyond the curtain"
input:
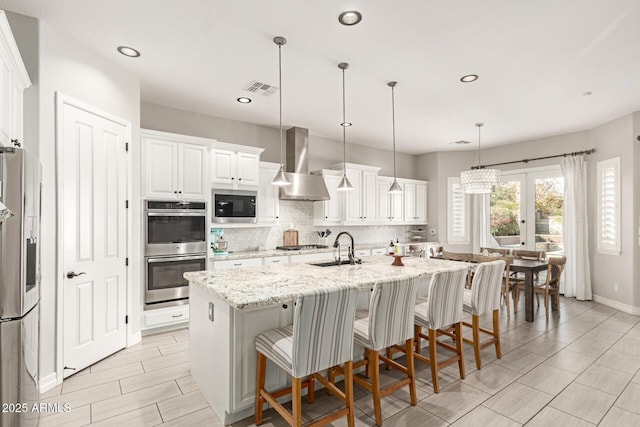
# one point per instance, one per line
(608, 199)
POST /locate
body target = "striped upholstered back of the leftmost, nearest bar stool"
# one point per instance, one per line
(323, 329)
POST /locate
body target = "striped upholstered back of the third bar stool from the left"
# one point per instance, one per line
(445, 297)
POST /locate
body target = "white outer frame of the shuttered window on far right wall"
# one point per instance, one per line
(602, 247)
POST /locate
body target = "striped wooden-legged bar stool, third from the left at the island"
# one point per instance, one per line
(441, 310)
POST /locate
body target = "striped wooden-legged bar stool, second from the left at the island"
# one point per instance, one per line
(389, 322)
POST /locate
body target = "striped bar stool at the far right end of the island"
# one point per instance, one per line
(484, 297)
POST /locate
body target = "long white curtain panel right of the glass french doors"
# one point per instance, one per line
(577, 275)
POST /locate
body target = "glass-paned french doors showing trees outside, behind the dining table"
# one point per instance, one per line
(526, 211)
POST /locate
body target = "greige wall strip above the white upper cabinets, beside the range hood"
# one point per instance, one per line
(322, 152)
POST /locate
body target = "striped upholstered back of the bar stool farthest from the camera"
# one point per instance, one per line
(486, 287)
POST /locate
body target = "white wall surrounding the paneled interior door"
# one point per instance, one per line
(68, 67)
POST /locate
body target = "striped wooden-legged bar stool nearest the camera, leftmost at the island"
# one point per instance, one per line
(321, 337)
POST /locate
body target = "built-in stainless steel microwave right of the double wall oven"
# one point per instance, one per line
(234, 206)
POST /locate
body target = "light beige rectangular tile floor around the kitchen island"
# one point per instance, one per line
(580, 368)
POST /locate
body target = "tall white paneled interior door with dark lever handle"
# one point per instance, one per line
(94, 173)
